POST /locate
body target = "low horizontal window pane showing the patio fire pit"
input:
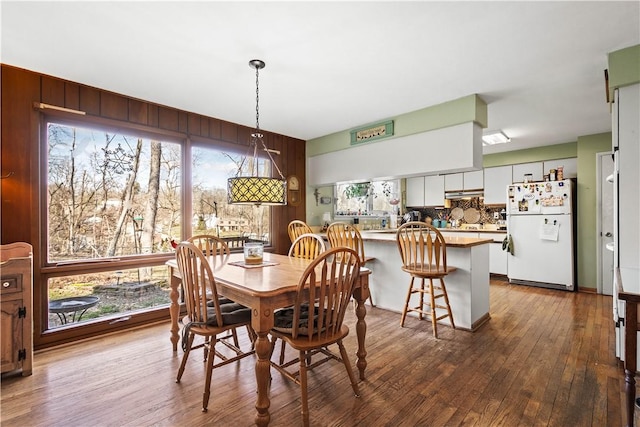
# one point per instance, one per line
(87, 297)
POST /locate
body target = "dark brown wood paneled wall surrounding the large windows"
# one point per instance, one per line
(20, 144)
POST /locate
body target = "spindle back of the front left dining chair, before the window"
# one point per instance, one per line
(199, 285)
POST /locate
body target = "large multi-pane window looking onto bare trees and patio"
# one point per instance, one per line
(115, 202)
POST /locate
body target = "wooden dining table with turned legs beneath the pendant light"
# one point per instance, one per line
(265, 289)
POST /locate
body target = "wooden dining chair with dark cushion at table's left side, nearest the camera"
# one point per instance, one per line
(206, 317)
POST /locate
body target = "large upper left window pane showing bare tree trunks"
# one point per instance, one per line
(110, 194)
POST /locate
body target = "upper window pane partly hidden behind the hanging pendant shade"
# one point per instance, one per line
(211, 213)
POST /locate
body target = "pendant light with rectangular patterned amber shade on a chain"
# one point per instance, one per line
(253, 189)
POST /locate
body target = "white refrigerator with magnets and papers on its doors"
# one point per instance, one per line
(540, 226)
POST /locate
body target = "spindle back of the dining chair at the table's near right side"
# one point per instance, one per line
(329, 282)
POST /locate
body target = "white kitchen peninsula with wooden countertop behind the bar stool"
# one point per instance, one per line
(467, 287)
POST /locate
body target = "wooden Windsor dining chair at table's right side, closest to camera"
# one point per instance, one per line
(315, 321)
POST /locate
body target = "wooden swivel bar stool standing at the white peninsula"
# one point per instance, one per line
(424, 256)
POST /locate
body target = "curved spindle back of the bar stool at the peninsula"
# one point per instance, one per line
(422, 249)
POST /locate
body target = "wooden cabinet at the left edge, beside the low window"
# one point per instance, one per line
(16, 339)
